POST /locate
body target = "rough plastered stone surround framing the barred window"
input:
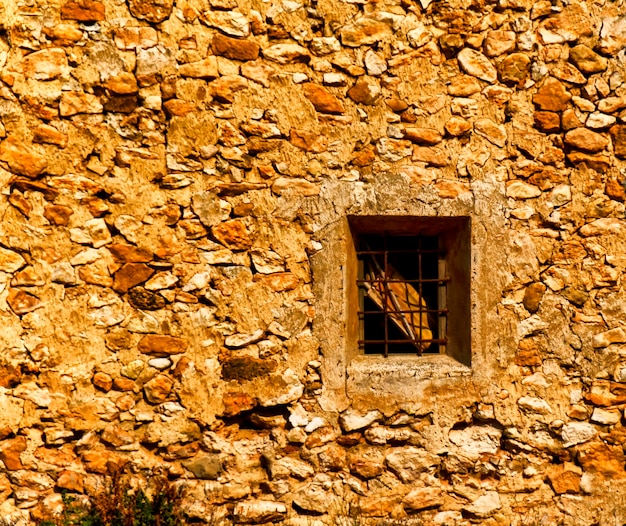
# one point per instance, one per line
(395, 382)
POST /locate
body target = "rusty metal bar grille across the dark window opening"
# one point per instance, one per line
(402, 294)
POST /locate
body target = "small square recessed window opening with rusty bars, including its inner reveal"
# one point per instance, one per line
(412, 285)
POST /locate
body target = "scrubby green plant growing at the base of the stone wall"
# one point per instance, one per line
(119, 504)
